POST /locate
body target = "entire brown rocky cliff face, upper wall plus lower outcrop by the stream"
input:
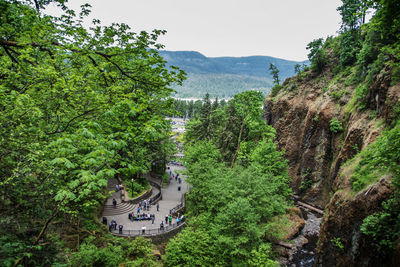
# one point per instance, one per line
(302, 114)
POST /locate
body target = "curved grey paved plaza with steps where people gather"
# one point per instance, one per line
(171, 197)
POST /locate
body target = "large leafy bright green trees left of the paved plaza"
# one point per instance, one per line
(78, 107)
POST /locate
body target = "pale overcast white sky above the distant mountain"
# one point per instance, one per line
(215, 28)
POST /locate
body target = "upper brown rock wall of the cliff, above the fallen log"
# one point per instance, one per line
(302, 116)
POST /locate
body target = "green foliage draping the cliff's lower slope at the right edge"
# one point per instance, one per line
(381, 157)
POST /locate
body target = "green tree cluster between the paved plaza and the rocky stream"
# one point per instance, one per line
(231, 203)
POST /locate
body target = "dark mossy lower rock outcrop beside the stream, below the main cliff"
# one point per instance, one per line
(343, 218)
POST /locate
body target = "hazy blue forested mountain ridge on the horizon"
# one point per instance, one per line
(225, 76)
